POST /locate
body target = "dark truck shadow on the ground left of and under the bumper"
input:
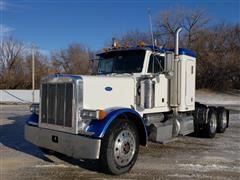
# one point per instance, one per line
(12, 136)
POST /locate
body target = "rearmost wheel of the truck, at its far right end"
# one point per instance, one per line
(222, 120)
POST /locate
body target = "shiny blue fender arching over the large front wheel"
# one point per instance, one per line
(99, 127)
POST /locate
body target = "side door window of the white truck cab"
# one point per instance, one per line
(156, 64)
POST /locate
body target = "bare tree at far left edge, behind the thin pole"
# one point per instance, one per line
(16, 65)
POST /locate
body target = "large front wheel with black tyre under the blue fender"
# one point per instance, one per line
(120, 147)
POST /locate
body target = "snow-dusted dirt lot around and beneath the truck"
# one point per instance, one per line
(186, 158)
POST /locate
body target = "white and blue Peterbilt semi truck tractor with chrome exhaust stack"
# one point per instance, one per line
(138, 94)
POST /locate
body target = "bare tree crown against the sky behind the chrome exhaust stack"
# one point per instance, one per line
(168, 21)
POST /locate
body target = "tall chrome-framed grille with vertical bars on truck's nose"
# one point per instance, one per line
(56, 104)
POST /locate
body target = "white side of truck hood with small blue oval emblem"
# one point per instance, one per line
(102, 92)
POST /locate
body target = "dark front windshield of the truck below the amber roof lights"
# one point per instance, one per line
(121, 62)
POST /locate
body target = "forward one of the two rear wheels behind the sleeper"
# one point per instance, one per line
(211, 126)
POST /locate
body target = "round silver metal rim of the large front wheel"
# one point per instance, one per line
(124, 147)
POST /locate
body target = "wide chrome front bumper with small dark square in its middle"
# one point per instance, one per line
(79, 147)
